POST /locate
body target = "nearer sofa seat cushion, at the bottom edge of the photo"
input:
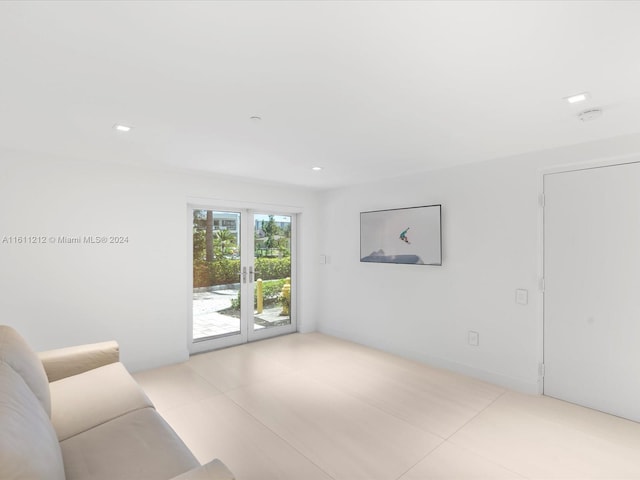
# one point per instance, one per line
(139, 445)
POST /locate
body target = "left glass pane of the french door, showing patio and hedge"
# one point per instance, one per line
(216, 274)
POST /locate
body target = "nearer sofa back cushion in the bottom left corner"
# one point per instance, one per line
(29, 447)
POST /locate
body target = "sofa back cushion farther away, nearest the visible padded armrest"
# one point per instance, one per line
(17, 353)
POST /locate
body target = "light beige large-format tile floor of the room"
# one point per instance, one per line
(307, 407)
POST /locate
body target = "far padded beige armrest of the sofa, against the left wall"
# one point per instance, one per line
(65, 362)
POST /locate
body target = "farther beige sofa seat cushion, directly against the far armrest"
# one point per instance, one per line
(83, 401)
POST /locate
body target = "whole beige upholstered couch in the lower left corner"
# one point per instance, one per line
(76, 413)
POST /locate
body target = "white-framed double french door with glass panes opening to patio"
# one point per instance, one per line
(243, 282)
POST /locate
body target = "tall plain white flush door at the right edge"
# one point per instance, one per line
(592, 288)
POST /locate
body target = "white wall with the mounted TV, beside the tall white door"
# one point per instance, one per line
(491, 247)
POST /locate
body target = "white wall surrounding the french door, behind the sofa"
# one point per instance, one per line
(135, 293)
